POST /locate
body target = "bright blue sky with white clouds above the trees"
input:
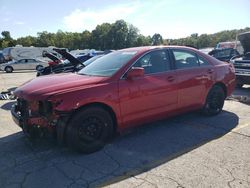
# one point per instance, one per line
(171, 18)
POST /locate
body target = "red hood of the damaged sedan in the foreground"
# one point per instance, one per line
(41, 88)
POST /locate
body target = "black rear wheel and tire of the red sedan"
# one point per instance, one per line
(214, 101)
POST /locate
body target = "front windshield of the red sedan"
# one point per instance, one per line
(108, 64)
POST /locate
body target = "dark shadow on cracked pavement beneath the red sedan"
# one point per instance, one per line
(44, 164)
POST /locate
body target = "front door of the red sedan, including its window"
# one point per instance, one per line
(153, 94)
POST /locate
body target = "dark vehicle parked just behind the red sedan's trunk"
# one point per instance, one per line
(224, 54)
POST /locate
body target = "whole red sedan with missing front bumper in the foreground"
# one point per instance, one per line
(122, 89)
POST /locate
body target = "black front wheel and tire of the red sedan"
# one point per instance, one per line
(89, 130)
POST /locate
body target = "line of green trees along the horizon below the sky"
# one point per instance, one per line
(117, 35)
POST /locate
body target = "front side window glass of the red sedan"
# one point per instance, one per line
(154, 62)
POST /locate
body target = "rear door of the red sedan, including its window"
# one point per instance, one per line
(194, 75)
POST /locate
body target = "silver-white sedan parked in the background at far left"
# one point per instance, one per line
(23, 64)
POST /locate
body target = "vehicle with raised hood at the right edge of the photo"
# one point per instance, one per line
(242, 62)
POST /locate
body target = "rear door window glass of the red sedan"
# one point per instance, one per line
(185, 59)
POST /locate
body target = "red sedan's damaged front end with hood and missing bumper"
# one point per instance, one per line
(44, 104)
